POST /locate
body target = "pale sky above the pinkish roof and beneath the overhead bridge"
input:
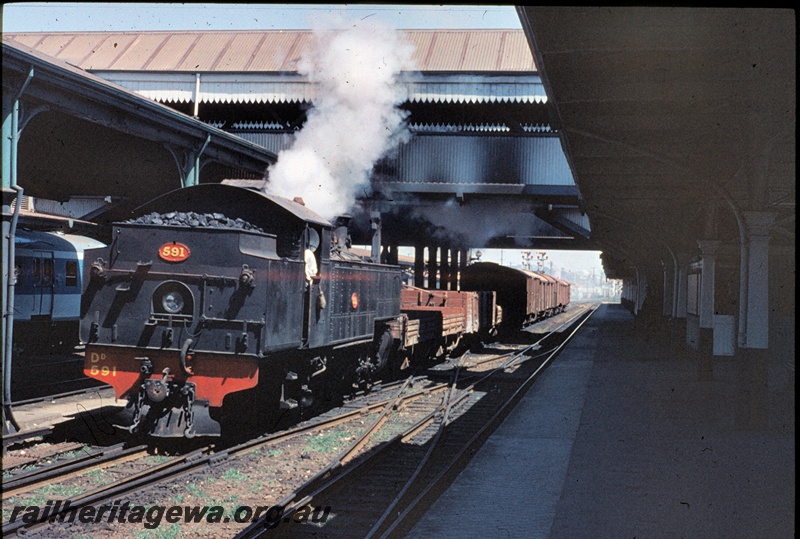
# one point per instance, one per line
(86, 17)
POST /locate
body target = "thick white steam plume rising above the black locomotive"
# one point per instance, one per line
(355, 119)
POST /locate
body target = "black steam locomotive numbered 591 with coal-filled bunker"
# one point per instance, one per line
(214, 290)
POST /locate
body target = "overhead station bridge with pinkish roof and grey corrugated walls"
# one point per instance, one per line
(476, 109)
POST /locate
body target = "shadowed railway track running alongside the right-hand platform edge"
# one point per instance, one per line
(384, 494)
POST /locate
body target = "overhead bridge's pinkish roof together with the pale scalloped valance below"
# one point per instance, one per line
(463, 66)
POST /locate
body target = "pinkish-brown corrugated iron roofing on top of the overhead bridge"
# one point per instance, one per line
(268, 50)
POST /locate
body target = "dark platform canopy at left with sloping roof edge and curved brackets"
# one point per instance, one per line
(78, 134)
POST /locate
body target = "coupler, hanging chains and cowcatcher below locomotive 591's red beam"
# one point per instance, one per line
(169, 410)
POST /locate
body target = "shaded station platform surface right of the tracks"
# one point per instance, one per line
(623, 437)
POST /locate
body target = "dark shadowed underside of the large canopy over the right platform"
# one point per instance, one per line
(675, 122)
